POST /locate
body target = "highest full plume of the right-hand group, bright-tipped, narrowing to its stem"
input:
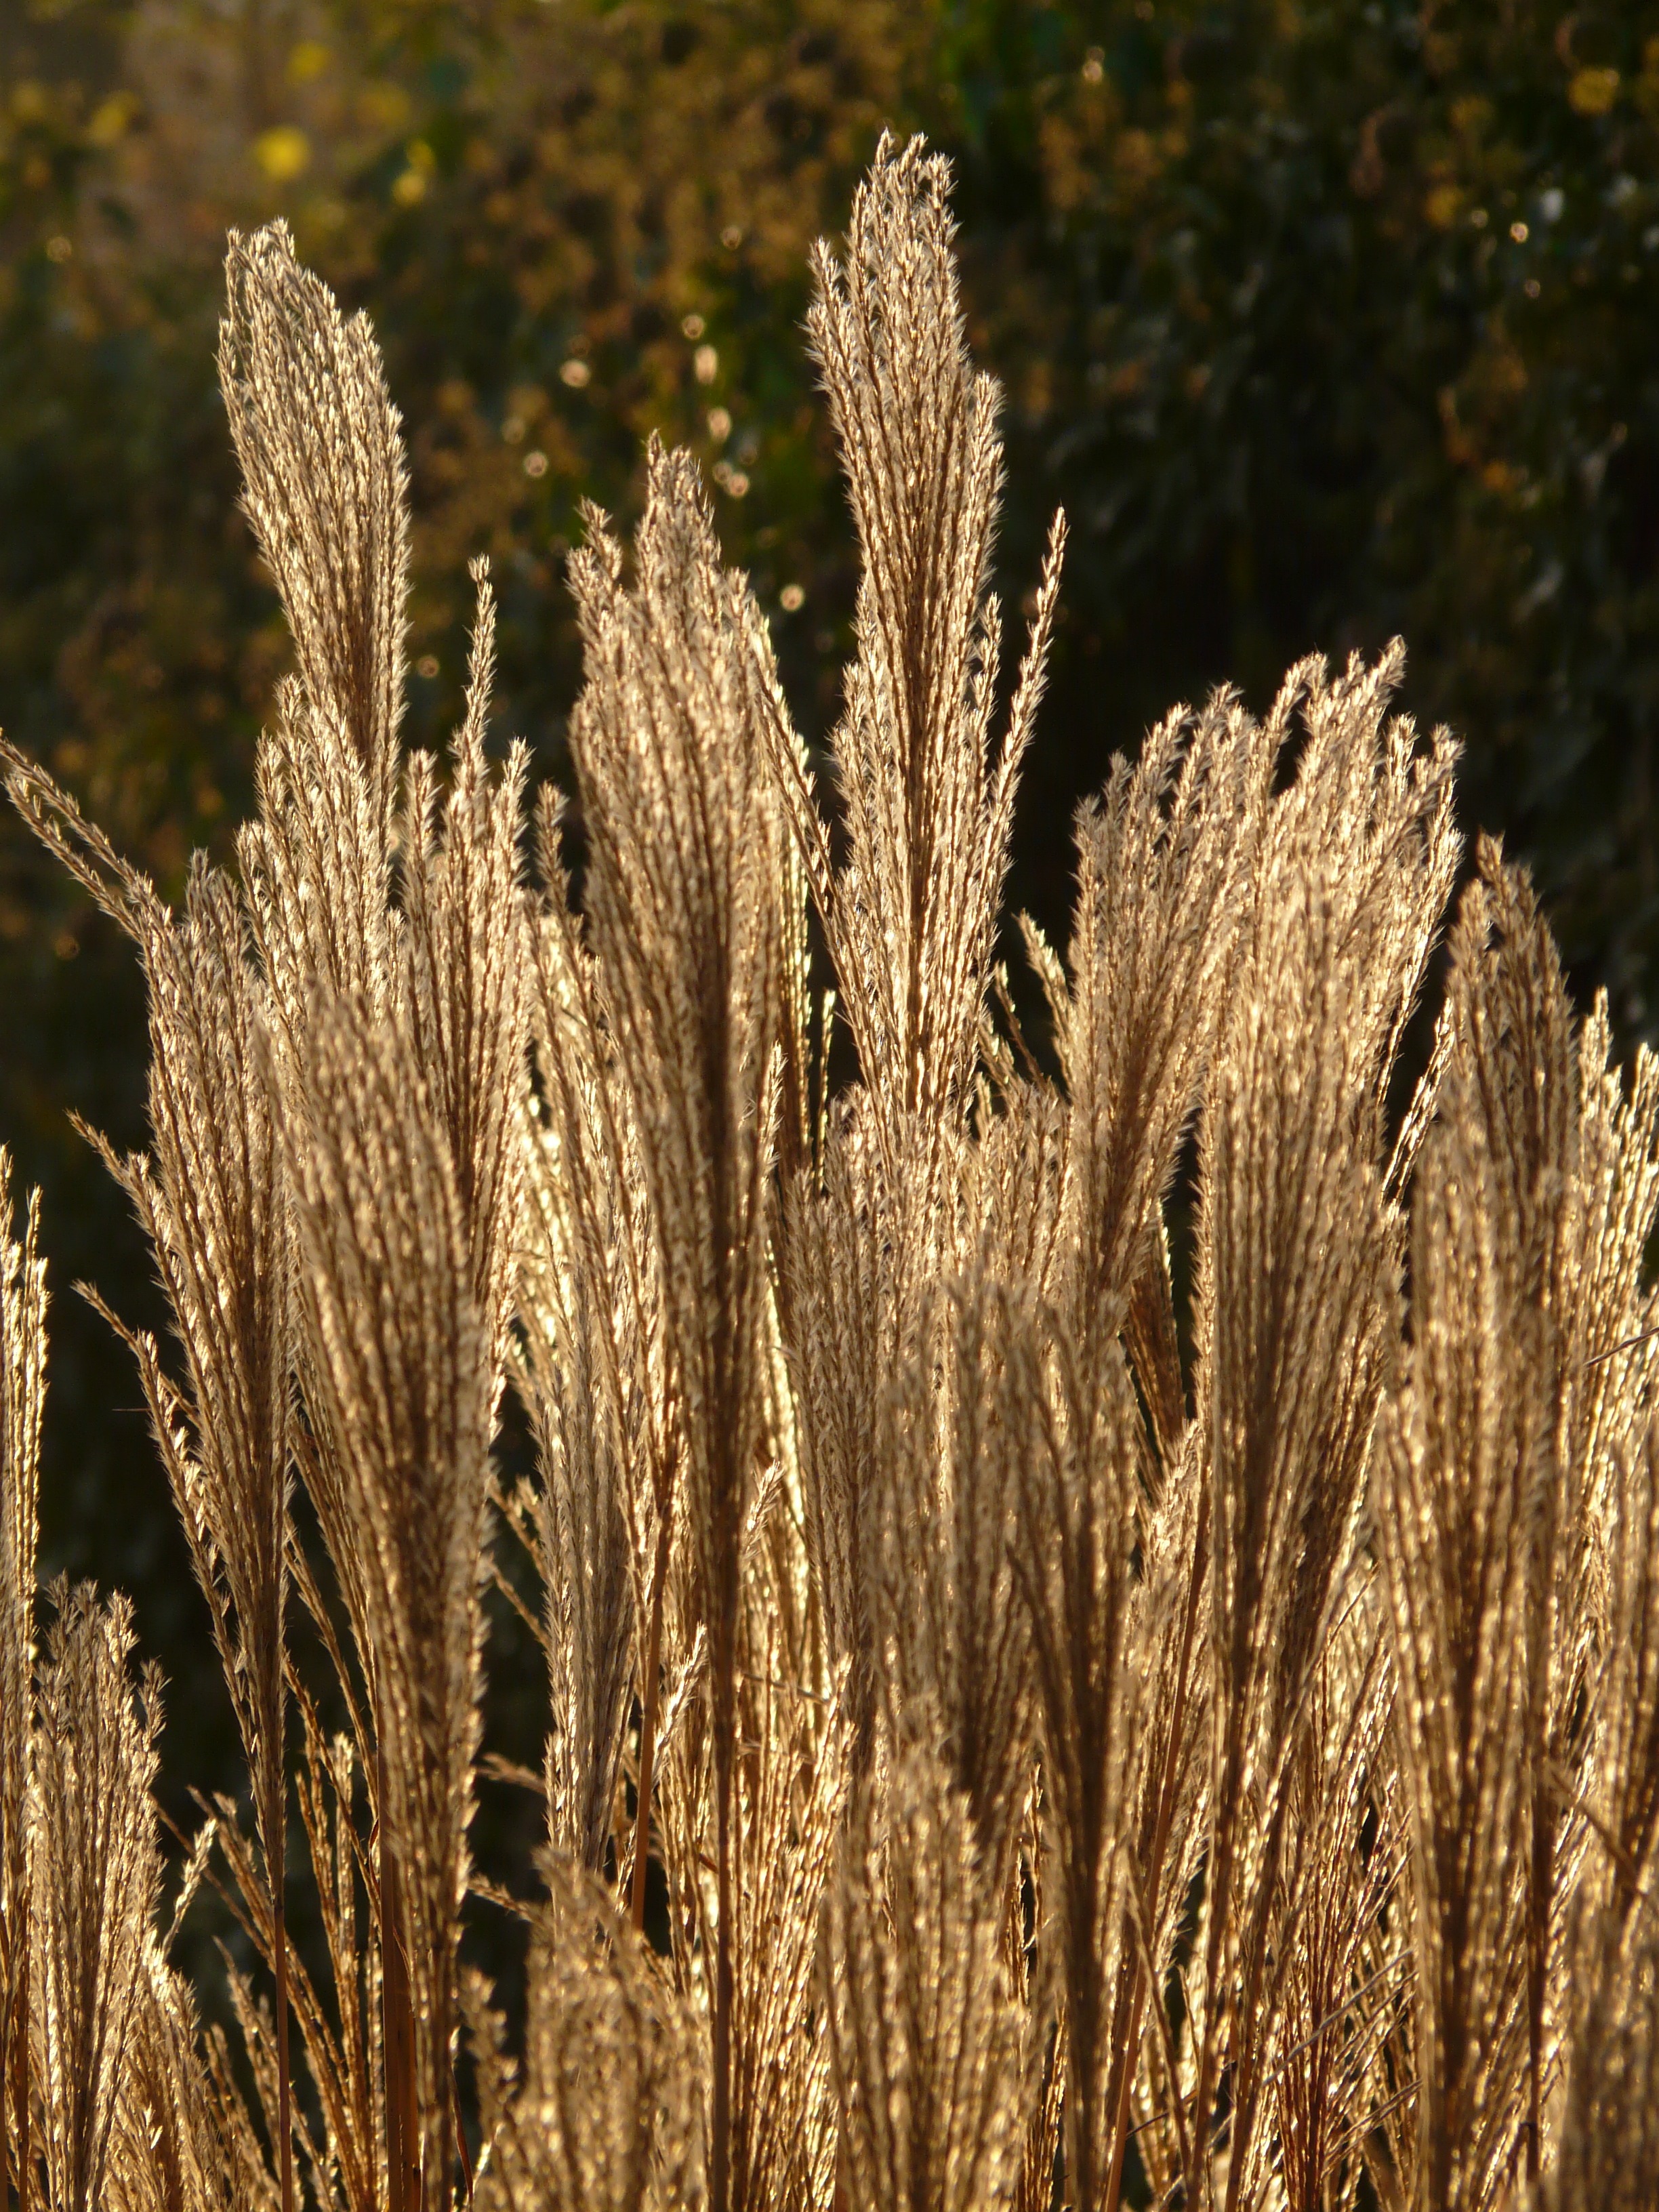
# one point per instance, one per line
(1295, 1315)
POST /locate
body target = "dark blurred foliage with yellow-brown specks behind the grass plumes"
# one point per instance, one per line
(1324, 322)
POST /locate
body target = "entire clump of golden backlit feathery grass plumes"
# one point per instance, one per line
(1112, 1596)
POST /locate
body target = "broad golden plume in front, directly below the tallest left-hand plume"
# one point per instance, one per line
(401, 1384)
